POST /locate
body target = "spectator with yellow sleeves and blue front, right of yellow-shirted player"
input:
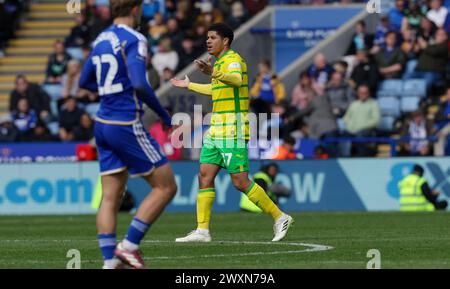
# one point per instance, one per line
(267, 89)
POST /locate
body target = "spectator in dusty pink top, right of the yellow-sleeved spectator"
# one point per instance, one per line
(304, 91)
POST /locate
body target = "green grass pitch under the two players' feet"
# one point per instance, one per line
(405, 240)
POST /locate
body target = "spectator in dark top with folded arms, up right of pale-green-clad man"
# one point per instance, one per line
(390, 59)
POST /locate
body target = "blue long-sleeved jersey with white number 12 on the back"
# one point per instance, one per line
(116, 69)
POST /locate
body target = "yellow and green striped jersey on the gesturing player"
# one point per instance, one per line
(230, 103)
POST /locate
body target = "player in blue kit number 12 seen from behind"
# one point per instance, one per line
(116, 70)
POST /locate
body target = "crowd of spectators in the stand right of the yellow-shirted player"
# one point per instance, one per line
(340, 99)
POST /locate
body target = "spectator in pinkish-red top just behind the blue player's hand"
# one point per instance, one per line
(162, 134)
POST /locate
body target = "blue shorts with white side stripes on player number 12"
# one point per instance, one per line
(131, 147)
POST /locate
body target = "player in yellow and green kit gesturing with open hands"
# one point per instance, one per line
(226, 143)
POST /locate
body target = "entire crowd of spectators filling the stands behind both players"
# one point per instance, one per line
(330, 99)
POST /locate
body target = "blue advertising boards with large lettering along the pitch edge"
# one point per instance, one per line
(329, 185)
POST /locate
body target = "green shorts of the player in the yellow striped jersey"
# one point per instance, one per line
(229, 154)
